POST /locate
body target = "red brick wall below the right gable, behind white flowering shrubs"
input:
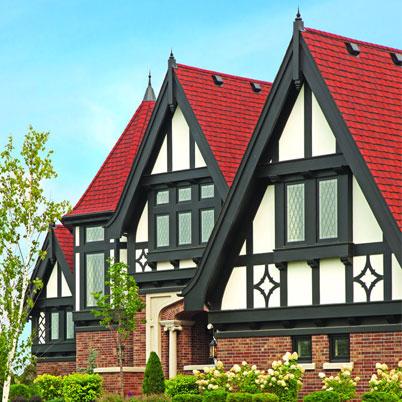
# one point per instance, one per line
(366, 349)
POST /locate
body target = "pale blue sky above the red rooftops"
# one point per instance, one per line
(78, 68)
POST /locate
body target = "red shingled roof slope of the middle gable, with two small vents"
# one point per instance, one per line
(227, 114)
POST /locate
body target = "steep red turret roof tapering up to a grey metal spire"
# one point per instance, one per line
(103, 194)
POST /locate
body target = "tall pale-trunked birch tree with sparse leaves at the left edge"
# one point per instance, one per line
(25, 215)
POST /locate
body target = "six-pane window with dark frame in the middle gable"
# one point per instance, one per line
(183, 216)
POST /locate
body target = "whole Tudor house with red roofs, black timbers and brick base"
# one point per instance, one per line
(271, 211)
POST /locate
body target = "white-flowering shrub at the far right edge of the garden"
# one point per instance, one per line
(386, 380)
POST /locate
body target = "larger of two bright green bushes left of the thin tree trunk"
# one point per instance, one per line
(82, 387)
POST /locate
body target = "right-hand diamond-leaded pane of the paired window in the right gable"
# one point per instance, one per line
(328, 208)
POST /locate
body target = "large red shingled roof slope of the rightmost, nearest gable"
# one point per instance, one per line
(368, 92)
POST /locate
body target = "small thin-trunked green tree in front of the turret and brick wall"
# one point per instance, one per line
(118, 308)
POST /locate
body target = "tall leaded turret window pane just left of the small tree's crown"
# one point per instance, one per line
(95, 277)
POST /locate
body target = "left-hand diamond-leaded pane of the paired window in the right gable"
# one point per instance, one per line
(295, 212)
